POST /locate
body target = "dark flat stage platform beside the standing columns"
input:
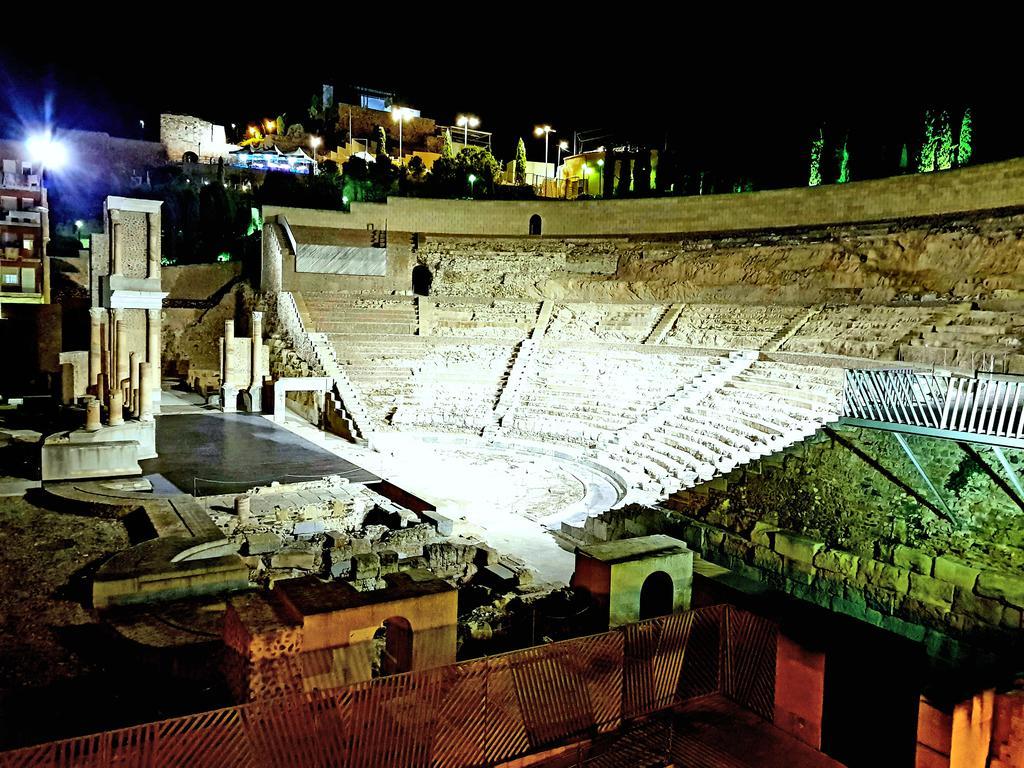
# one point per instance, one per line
(218, 453)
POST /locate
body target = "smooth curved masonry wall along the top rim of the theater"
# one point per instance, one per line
(983, 188)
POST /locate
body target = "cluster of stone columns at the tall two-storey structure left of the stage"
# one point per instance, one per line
(118, 376)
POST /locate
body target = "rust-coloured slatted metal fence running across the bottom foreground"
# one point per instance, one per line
(477, 713)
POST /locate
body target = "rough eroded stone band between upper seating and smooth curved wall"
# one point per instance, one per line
(957, 259)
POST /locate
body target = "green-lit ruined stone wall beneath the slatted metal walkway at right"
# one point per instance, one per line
(852, 527)
